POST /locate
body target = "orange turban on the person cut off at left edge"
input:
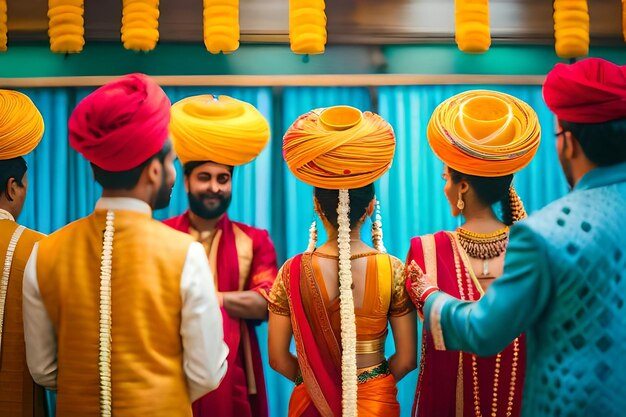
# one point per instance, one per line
(21, 125)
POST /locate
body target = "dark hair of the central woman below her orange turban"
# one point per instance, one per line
(359, 200)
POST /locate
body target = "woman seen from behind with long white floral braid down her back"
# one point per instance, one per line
(337, 299)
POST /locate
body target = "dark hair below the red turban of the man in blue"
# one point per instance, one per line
(603, 143)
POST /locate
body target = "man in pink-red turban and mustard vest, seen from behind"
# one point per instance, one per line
(119, 316)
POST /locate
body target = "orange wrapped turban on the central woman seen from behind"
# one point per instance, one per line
(339, 147)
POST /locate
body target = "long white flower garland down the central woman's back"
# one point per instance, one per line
(346, 305)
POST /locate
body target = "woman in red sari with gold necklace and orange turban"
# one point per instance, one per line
(483, 137)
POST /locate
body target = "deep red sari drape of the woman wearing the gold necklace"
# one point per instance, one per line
(446, 382)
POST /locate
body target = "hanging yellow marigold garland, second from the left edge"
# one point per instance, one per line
(66, 25)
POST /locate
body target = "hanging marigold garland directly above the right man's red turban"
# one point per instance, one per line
(571, 28)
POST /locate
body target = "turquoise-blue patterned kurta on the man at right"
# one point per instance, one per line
(564, 284)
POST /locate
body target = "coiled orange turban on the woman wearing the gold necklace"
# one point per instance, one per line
(484, 133)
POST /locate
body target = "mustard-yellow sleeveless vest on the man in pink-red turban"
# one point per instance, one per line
(147, 352)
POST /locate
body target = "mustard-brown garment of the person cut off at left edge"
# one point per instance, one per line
(19, 395)
